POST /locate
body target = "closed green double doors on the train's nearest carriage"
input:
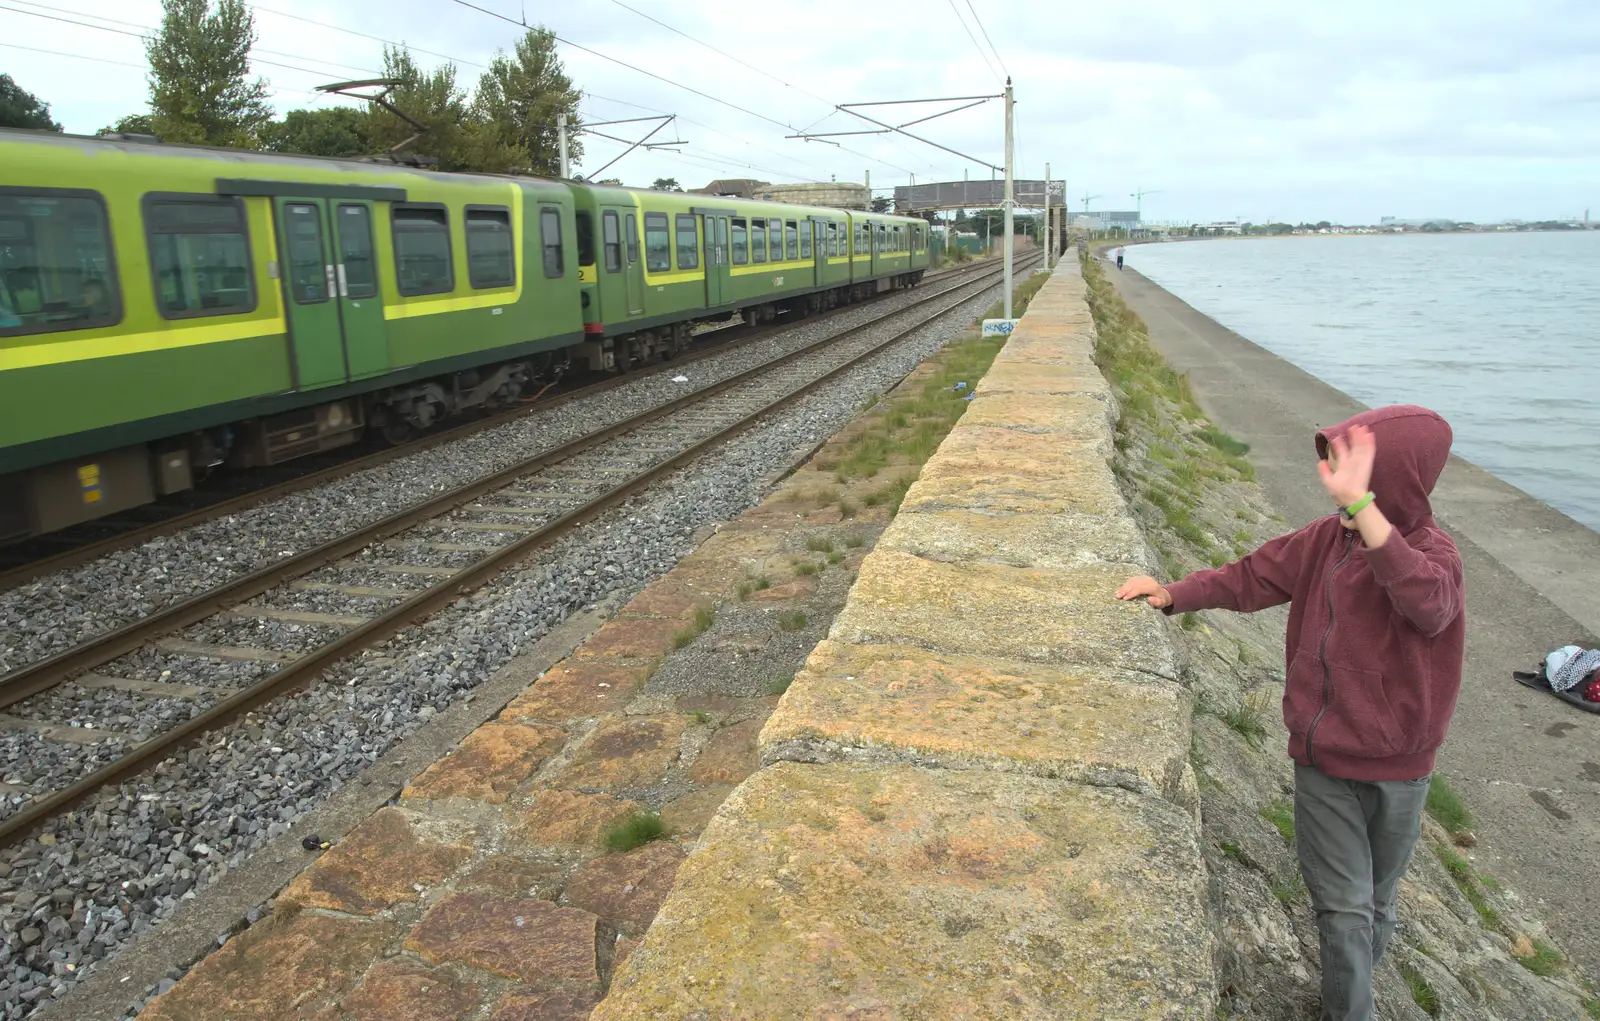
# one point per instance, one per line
(330, 290)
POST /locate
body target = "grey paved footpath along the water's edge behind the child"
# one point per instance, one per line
(1527, 764)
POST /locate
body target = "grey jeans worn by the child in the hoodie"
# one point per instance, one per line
(1354, 841)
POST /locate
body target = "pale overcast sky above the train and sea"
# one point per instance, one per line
(1286, 110)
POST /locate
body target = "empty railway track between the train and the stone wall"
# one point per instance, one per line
(327, 604)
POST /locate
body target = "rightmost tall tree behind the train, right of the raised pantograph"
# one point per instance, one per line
(513, 121)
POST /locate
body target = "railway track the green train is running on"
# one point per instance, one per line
(36, 558)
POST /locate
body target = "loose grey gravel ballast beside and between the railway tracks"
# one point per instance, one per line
(129, 859)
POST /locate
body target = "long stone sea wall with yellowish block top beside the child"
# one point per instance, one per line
(977, 798)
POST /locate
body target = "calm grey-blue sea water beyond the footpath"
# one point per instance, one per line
(1497, 332)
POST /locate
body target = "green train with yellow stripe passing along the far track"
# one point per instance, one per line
(172, 310)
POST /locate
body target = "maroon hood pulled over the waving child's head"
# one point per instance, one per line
(1414, 446)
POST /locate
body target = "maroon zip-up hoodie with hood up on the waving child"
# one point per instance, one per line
(1377, 636)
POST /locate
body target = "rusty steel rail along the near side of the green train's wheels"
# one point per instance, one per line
(25, 574)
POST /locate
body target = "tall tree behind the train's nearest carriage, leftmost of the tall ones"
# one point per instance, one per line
(201, 89)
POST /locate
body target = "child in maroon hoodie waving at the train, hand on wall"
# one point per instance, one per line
(1374, 663)
